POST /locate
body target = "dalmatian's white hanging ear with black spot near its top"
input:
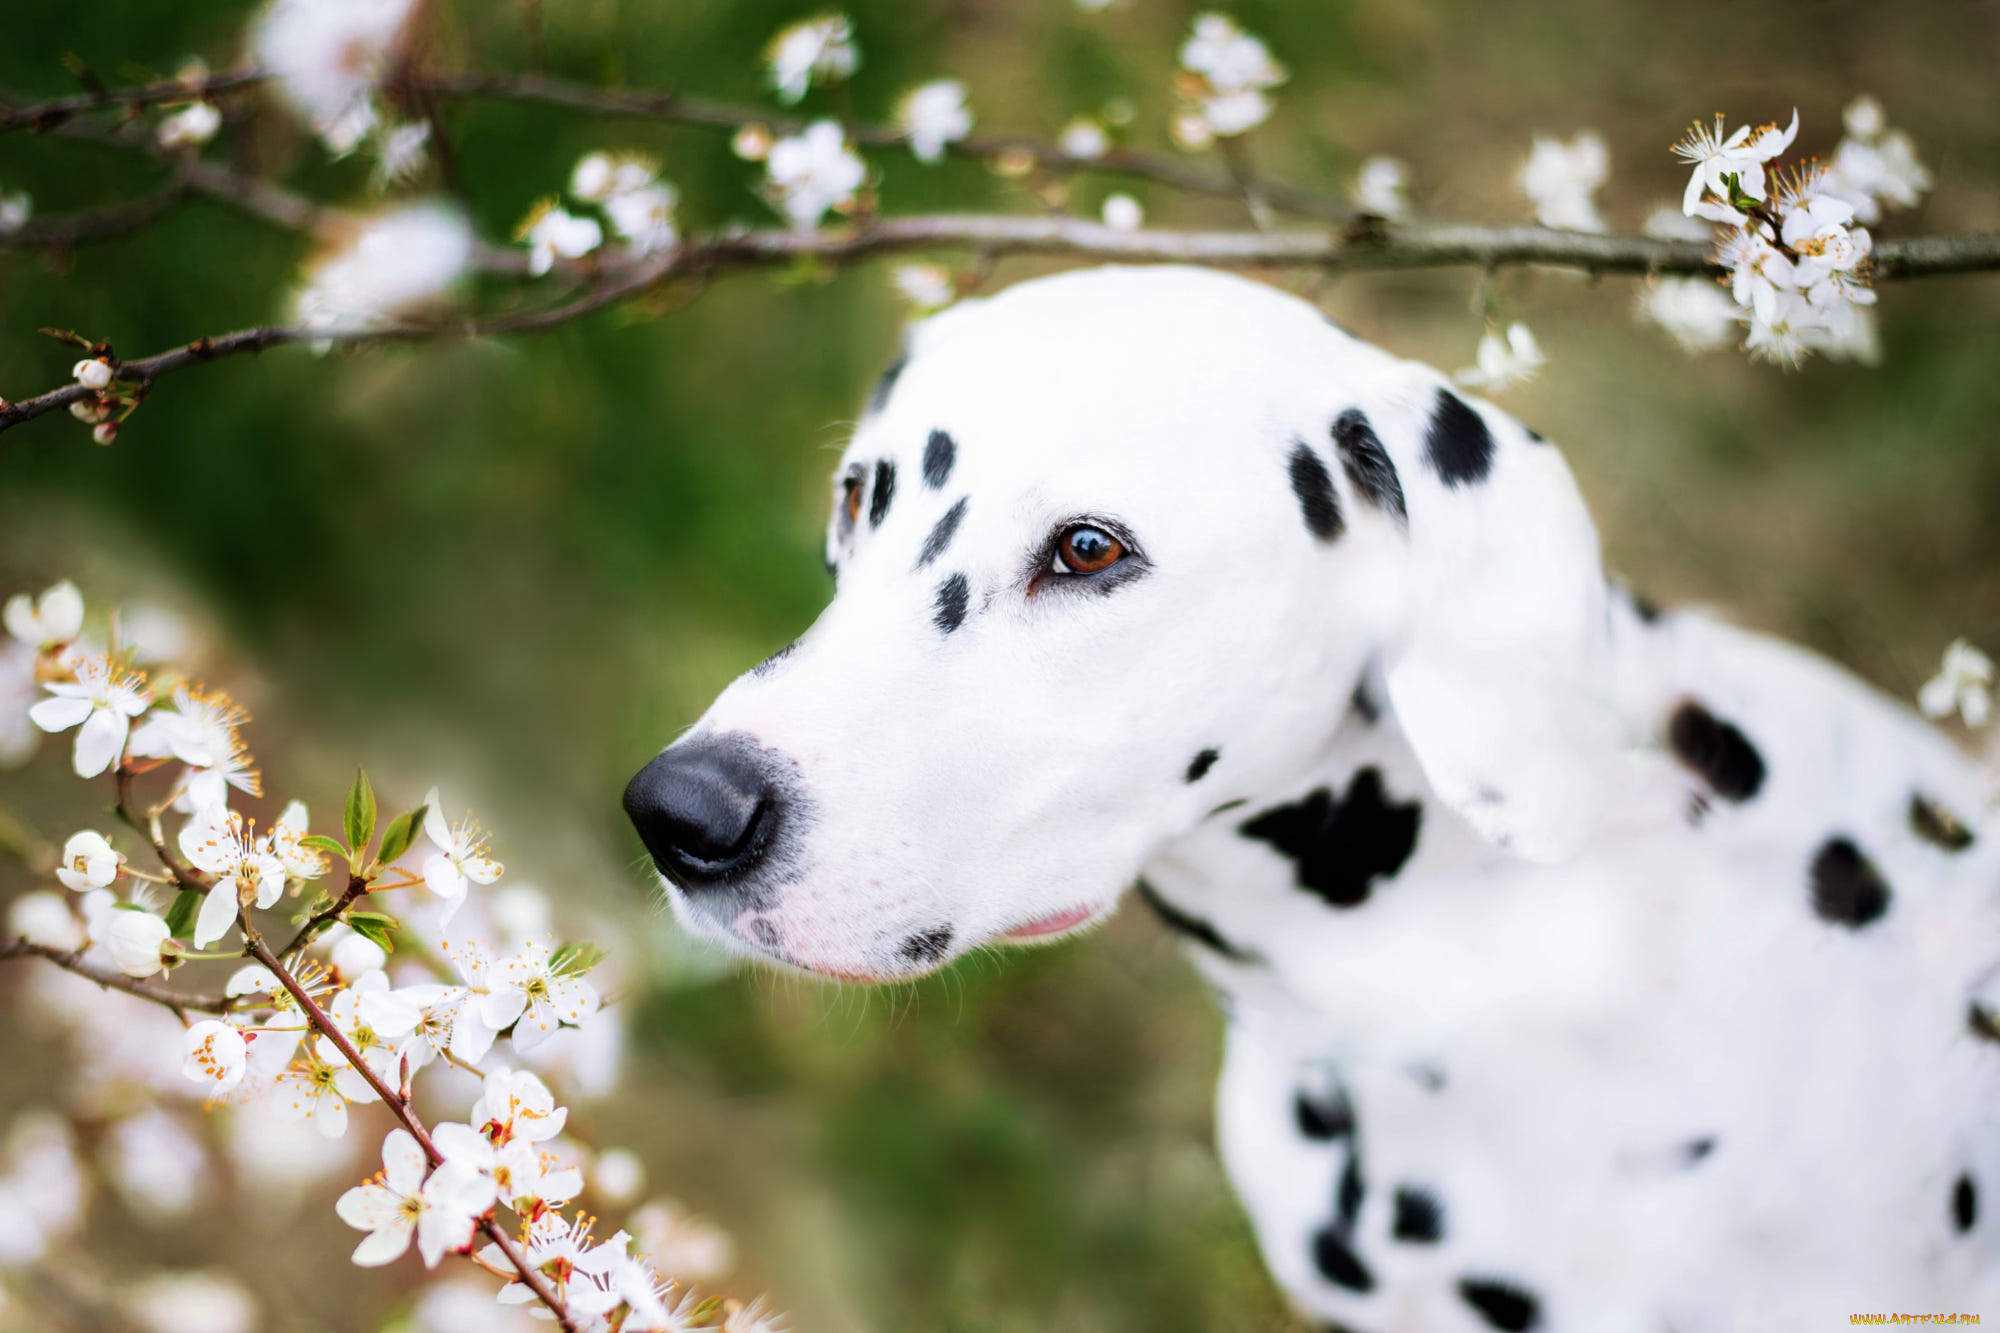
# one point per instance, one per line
(1501, 678)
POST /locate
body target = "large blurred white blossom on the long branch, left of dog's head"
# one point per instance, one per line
(389, 265)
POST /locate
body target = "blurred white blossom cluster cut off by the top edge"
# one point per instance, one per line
(329, 57)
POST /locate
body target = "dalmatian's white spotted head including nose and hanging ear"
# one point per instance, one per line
(1115, 549)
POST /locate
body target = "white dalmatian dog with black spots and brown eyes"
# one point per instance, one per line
(1585, 966)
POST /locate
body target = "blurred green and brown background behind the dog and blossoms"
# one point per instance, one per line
(523, 567)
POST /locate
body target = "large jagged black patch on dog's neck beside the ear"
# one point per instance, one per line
(1341, 848)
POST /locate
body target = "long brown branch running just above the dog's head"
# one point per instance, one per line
(1375, 247)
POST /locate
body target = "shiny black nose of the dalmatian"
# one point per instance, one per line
(705, 810)
